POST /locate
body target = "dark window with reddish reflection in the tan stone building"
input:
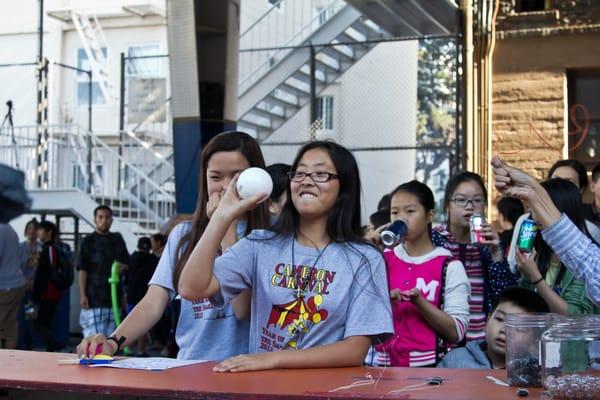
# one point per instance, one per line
(584, 111)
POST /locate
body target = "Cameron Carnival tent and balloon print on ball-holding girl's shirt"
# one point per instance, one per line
(289, 322)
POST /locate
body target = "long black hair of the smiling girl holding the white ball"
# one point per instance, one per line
(344, 222)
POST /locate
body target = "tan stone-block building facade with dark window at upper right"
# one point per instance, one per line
(546, 70)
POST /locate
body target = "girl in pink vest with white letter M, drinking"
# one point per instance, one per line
(428, 288)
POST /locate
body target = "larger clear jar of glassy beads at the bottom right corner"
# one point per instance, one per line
(571, 358)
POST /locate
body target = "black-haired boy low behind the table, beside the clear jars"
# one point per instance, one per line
(490, 352)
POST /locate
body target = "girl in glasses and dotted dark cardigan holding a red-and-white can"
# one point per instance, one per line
(486, 267)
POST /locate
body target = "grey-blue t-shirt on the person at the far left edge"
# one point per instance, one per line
(11, 276)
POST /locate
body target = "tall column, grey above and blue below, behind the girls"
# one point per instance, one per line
(203, 48)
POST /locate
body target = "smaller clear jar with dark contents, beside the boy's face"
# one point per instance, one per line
(523, 358)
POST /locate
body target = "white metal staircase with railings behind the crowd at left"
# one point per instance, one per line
(141, 205)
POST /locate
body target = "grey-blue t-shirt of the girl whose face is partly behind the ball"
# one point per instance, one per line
(203, 331)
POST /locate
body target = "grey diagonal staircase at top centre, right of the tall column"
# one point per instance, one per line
(276, 87)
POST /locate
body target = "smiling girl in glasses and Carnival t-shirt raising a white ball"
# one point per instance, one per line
(319, 292)
